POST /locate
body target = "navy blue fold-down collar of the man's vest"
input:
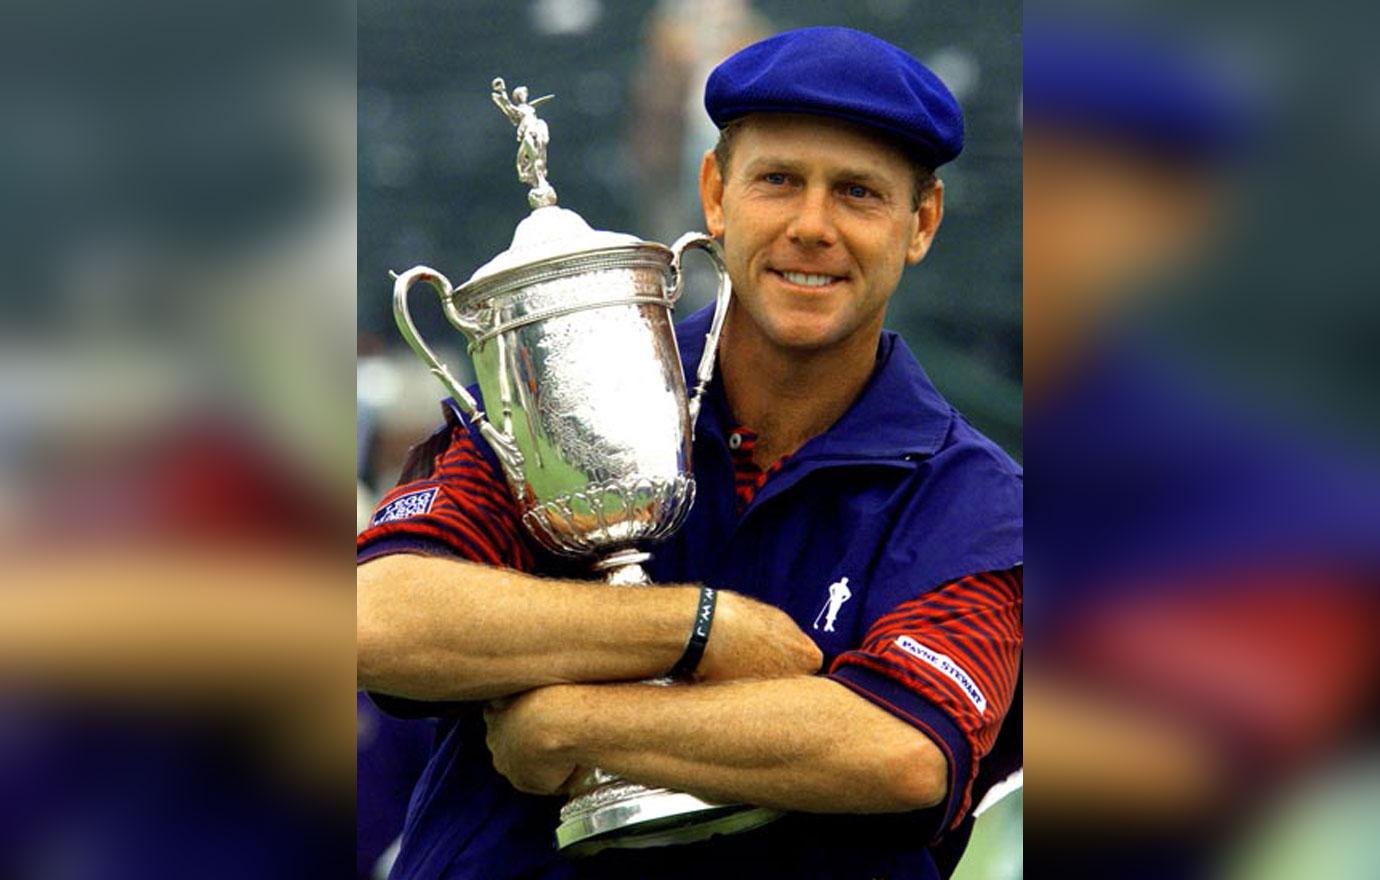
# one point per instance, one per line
(899, 416)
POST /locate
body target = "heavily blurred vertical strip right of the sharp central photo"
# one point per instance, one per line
(1201, 441)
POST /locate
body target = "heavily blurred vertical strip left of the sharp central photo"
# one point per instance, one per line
(177, 231)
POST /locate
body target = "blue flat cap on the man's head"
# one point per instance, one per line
(847, 75)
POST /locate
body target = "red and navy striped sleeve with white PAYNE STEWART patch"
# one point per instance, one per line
(946, 663)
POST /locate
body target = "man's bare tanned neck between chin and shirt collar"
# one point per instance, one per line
(790, 397)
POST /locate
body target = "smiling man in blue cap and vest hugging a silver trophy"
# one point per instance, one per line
(822, 453)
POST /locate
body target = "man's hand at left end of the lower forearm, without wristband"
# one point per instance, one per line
(526, 744)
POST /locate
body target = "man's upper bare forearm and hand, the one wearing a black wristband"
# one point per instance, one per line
(435, 628)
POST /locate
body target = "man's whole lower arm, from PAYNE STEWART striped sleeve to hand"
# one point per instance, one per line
(899, 725)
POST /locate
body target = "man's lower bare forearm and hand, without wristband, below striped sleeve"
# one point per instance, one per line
(804, 744)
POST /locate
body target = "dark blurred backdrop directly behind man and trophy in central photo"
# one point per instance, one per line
(629, 129)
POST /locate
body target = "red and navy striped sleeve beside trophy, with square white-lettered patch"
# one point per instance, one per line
(462, 508)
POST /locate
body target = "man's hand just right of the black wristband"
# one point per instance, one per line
(756, 641)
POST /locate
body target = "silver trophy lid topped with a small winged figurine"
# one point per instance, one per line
(550, 232)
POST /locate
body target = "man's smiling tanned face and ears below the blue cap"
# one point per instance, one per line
(818, 220)
